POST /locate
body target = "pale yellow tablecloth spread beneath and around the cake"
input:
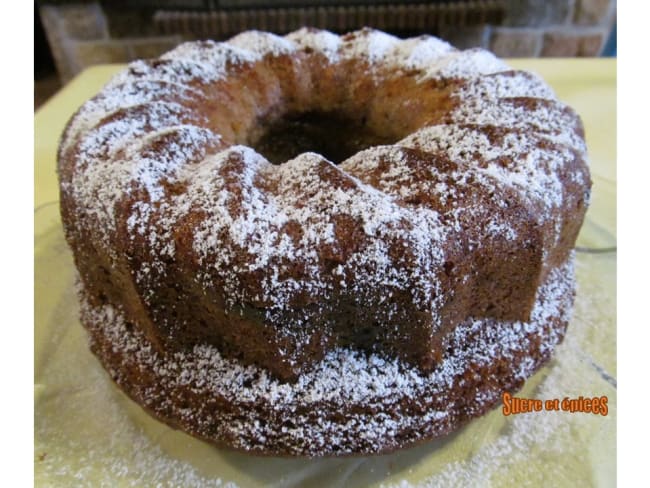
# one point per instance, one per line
(88, 433)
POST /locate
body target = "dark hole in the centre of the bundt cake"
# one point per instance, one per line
(330, 134)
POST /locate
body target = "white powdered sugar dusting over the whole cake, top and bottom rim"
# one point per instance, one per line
(141, 157)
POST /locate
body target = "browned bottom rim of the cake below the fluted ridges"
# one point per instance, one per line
(352, 403)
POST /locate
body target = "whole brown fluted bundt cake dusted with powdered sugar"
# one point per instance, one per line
(320, 244)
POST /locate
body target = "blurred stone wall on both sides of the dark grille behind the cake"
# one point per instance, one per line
(84, 33)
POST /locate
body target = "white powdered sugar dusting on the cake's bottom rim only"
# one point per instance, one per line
(381, 385)
